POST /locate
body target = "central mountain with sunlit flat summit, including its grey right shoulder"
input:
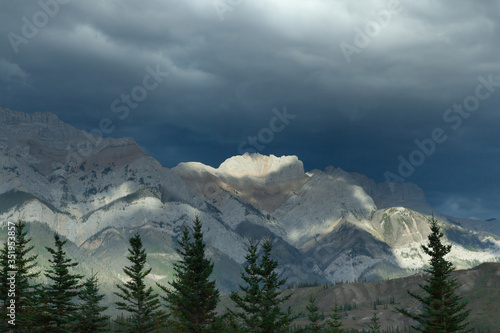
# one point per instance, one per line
(296, 205)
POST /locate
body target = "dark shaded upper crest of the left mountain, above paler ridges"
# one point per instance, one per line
(47, 143)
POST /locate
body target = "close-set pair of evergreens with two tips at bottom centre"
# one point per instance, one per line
(262, 299)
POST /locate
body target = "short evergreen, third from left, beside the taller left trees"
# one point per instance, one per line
(90, 318)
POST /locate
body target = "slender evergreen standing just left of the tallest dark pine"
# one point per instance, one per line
(140, 301)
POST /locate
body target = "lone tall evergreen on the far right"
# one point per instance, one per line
(442, 309)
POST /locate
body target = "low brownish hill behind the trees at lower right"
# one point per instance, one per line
(480, 286)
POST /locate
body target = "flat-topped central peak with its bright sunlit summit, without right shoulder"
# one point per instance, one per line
(263, 182)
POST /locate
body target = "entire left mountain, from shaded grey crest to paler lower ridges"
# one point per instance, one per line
(83, 178)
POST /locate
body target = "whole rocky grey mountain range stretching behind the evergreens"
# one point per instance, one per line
(327, 225)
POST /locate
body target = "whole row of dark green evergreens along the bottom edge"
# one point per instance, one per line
(70, 302)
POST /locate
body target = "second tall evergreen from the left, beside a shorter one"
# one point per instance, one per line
(59, 308)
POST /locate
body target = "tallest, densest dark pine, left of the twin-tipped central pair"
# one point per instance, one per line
(193, 297)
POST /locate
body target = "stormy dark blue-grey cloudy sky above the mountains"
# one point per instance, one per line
(397, 90)
